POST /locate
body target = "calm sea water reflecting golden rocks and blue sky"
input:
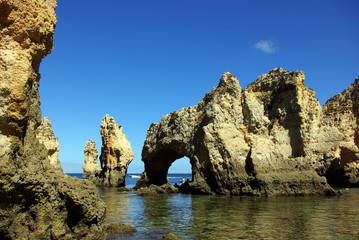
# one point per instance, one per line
(232, 217)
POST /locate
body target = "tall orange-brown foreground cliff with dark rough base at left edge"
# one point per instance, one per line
(37, 201)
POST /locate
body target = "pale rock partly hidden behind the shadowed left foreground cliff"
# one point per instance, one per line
(46, 136)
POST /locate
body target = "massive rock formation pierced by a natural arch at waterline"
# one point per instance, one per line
(267, 139)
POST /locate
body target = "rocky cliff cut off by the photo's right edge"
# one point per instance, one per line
(343, 111)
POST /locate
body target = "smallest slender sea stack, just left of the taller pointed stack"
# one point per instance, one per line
(90, 167)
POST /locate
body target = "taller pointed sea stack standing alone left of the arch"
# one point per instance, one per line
(116, 153)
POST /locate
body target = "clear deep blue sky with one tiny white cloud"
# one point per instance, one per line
(138, 60)
